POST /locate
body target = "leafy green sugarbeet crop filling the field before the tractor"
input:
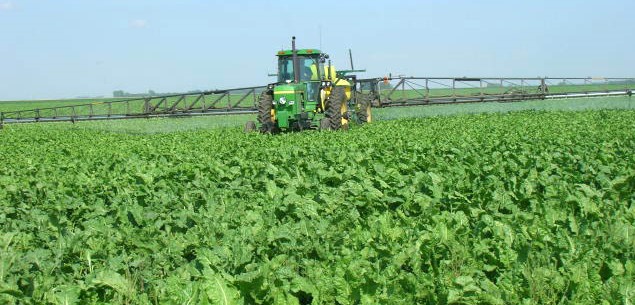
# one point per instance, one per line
(528, 207)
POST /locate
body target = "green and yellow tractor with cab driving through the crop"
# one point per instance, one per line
(309, 94)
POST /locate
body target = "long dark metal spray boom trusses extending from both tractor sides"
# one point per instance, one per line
(385, 92)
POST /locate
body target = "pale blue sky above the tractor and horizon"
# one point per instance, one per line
(69, 48)
